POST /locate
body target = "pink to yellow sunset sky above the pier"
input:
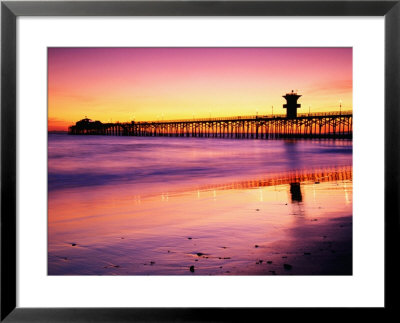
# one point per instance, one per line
(124, 84)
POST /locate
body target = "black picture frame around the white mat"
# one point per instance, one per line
(10, 10)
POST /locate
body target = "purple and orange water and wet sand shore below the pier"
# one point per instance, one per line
(190, 206)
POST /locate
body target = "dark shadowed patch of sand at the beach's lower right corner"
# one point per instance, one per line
(323, 248)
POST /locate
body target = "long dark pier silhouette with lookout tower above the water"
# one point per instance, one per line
(338, 124)
